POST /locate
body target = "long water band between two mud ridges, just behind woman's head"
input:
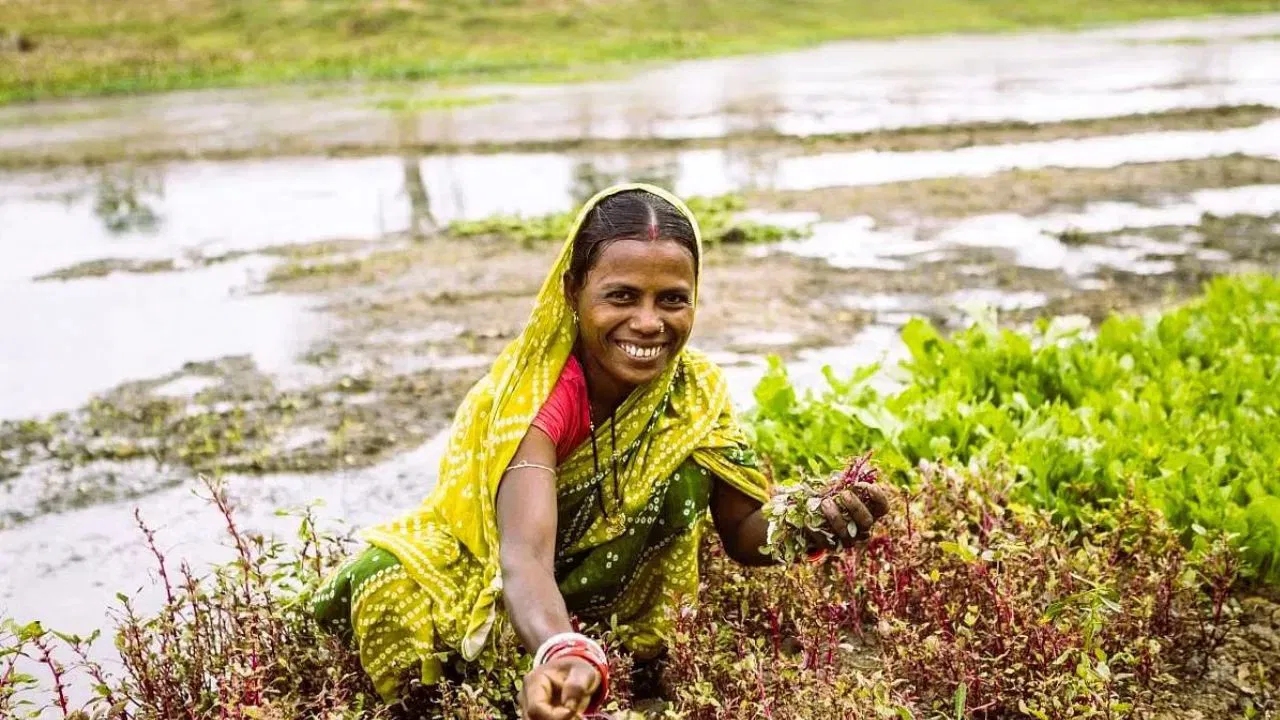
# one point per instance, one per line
(211, 208)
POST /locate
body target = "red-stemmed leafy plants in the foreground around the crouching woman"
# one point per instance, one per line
(964, 604)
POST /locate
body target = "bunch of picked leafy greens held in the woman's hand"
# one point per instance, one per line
(796, 511)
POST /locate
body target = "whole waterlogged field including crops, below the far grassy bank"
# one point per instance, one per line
(1039, 286)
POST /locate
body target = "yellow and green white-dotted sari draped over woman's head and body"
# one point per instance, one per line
(429, 587)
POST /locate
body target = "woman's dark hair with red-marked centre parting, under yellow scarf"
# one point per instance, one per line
(632, 215)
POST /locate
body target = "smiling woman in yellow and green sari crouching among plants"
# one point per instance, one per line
(577, 479)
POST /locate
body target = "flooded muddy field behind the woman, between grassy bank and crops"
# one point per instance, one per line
(292, 308)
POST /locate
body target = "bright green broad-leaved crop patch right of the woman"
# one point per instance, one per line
(1182, 409)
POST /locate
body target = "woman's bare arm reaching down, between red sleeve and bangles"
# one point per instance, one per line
(527, 525)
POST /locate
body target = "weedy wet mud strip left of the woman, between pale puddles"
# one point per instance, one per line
(217, 418)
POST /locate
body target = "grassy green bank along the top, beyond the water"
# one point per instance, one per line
(83, 48)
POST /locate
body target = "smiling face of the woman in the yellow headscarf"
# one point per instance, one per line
(636, 309)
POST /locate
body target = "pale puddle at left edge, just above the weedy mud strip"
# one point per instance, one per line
(72, 340)
